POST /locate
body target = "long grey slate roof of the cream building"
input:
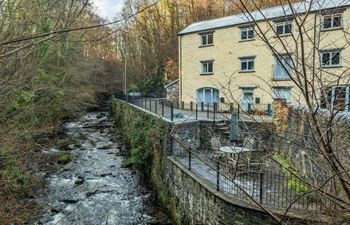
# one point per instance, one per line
(268, 13)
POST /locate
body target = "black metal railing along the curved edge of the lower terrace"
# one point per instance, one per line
(279, 190)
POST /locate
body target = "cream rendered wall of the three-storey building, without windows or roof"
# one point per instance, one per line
(228, 48)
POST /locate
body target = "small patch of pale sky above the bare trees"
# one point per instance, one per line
(108, 8)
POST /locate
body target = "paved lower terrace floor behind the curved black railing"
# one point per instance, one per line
(269, 189)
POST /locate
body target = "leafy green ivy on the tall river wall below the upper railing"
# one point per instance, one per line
(143, 133)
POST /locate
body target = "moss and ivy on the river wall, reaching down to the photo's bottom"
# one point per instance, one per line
(147, 137)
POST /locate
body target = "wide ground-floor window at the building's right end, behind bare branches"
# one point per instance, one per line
(336, 98)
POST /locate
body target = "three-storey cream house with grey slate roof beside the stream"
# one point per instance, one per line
(227, 60)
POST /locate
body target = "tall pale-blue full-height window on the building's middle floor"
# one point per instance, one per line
(283, 68)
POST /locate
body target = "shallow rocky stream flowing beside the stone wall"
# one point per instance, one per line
(94, 188)
